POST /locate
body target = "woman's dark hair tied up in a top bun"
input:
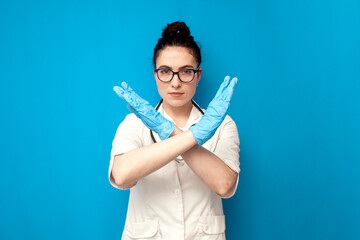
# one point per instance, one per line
(177, 34)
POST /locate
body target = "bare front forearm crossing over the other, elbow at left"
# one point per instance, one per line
(131, 166)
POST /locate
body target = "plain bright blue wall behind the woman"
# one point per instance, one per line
(297, 108)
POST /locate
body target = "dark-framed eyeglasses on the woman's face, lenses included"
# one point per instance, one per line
(185, 75)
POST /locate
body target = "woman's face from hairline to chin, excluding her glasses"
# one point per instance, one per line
(177, 93)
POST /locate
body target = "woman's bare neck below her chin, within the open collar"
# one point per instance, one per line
(179, 114)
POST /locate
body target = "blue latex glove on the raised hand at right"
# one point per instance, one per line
(215, 113)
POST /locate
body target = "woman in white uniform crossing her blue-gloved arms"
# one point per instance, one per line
(180, 169)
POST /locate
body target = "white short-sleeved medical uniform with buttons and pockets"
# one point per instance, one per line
(172, 202)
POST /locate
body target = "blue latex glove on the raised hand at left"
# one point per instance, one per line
(143, 110)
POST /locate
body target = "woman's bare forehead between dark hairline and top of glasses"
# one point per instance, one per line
(175, 57)
